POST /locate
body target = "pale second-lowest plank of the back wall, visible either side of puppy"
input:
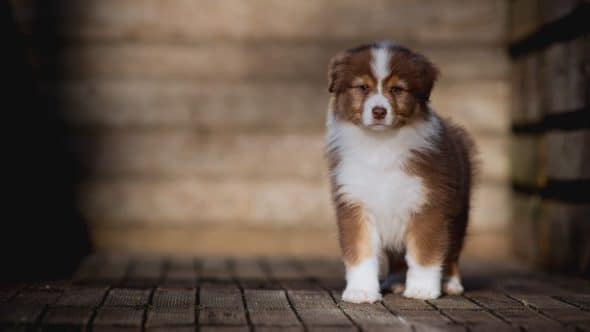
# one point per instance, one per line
(190, 202)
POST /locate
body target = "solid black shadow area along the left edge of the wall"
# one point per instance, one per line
(43, 233)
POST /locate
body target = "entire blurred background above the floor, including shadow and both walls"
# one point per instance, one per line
(196, 127)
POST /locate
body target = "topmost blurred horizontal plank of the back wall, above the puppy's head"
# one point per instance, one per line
(189, 21)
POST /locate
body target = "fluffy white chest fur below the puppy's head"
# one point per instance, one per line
(371, 170)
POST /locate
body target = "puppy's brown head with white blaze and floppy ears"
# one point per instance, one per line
(380, 86)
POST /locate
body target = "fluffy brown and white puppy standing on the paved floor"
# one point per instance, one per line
(401, 175)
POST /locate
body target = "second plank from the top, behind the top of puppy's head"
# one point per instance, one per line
(226, 61)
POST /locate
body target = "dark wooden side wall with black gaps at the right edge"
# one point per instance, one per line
(550, 145)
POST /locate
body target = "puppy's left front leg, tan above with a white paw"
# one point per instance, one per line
(359, 248)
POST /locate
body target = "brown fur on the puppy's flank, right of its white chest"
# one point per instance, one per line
(447, 172)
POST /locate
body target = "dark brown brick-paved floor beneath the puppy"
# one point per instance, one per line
(113, 293)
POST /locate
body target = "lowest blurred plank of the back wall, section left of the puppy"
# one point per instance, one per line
(219, 240)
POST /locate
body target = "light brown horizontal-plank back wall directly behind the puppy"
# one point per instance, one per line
(201, 122)
